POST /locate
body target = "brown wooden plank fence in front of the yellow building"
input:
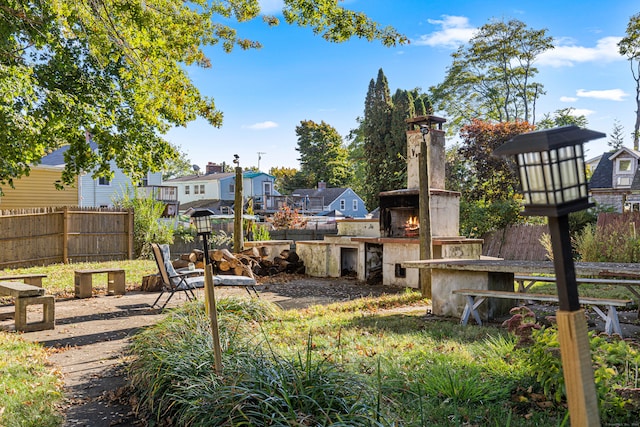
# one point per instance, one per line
(62, 235)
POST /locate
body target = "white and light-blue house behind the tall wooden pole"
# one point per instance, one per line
(215, 187)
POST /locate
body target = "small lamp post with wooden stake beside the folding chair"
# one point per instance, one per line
(202, 221)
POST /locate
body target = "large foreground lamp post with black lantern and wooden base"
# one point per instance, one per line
(552, 174)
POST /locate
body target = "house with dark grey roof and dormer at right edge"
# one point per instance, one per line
(616, 180)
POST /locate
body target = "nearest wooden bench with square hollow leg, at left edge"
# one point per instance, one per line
(26, 295)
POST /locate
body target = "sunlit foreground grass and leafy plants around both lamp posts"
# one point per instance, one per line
(360, 364)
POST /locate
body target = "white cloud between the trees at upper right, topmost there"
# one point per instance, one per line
(567, 54)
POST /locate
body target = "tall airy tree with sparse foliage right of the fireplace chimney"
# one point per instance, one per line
(492, 77)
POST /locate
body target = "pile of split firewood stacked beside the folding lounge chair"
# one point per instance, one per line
(251, 262)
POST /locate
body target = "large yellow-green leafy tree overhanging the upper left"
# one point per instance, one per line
(117, 70)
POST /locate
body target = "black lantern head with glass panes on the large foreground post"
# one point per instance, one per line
(551, 168)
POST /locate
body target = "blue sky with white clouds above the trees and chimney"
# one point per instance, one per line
(264, 94)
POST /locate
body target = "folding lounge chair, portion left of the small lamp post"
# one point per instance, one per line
(172, 281)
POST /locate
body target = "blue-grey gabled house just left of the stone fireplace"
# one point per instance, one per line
(344, 200)
